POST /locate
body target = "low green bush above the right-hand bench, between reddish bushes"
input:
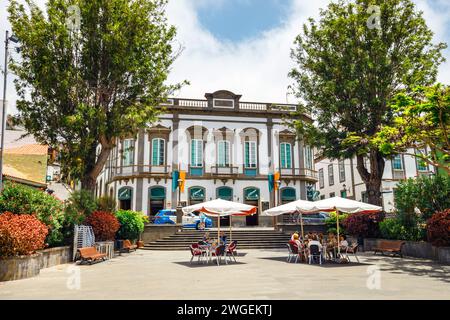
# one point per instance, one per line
(394, 229)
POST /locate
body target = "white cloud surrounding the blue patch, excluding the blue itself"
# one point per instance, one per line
(256, 68)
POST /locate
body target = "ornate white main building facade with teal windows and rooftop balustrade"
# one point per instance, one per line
(227, 149)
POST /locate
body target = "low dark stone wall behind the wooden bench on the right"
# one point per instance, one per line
(416, 249)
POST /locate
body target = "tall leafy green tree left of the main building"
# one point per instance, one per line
(90, 74)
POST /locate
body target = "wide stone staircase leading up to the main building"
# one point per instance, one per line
(246, 238)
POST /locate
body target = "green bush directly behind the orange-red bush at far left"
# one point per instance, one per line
(20, 199)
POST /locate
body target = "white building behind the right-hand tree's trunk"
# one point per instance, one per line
(341, 178)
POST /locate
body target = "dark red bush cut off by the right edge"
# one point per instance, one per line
(438, 229)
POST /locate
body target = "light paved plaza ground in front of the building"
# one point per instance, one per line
(259, 274)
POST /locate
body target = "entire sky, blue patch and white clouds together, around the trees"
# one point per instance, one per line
(244, 45)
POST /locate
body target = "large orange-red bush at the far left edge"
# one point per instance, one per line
(21, 234)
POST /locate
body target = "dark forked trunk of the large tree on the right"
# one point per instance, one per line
(372, 179)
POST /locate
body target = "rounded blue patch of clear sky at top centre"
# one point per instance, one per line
(237, 20)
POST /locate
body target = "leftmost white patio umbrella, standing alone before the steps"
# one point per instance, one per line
(221, 208)
